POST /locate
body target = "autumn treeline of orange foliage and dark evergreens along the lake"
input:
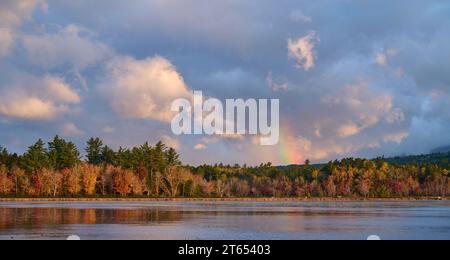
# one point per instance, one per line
(56, 169)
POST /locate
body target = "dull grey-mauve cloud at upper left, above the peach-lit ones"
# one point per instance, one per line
(73, 45)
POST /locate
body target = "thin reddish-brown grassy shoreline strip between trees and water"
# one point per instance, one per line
(223, 199)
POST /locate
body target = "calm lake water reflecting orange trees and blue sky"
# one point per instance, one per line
(226, 220)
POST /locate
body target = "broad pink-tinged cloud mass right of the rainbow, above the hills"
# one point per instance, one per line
(354, 118)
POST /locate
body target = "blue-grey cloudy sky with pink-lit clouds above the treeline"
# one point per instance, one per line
(355, 78)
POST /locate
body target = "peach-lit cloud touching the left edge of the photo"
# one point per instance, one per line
(33, 98)
